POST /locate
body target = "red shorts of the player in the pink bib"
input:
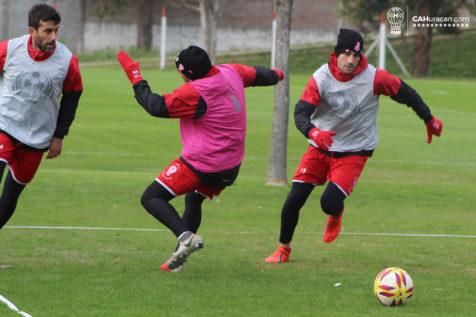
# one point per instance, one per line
(179, 179)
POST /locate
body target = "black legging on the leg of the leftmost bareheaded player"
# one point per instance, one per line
(11, 193)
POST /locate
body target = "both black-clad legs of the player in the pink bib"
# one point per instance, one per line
(156, 201)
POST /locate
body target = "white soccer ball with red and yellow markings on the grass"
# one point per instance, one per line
(393, 286)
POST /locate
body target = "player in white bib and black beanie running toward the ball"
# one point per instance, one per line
(337, 113)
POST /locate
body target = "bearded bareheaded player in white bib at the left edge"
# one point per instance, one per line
(36, 71)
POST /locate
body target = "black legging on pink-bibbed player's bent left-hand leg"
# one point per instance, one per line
(156, 201)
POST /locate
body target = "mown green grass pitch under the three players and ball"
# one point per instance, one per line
(115, 150)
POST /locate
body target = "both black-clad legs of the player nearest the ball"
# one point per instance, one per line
(332, 203)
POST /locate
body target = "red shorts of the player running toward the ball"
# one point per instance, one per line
(317, 168)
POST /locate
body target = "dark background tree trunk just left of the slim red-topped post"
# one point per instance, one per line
(145, 21)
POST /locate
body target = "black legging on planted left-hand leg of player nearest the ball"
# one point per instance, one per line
(290, 212)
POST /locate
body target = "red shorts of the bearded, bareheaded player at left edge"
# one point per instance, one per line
(23, 162)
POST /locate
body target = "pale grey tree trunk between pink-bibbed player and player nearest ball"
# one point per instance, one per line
(279, 137)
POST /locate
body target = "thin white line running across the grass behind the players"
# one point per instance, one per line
(387, 234)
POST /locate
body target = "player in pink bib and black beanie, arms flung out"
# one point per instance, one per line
(212, 111)
